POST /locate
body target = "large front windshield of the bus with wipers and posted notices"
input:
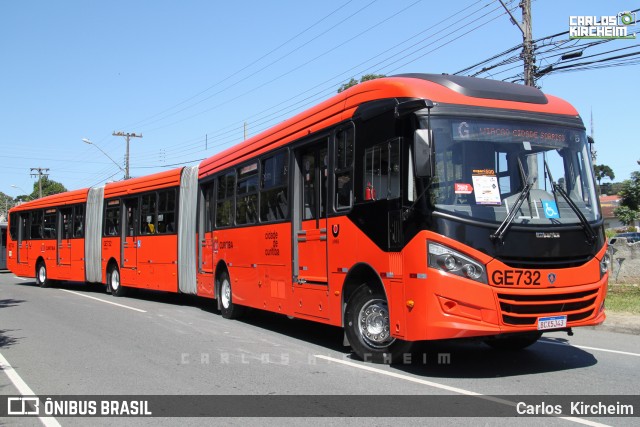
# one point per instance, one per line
(483, 166)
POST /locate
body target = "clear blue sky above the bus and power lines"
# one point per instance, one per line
(193, 76)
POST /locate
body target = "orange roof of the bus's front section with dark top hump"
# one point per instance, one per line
(438, 88)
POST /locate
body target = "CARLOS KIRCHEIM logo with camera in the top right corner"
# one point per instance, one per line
(602, 27)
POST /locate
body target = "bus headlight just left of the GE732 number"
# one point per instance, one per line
(446, 259)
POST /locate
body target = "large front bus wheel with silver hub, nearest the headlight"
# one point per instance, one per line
(368, 328)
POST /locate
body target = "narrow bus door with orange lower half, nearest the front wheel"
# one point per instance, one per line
(310, 226)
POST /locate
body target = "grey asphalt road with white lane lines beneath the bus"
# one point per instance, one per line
(73, 340)
